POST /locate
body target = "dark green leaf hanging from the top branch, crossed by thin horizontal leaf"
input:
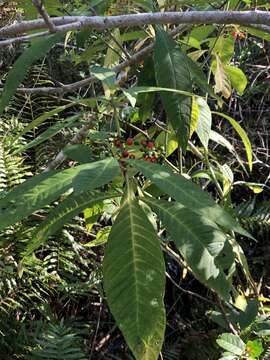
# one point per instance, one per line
(173, 72)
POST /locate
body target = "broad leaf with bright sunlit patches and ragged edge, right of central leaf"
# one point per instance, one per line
(202, 244)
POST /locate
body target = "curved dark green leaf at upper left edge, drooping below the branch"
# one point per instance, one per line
(22, 64)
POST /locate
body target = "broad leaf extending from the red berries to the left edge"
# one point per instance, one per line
(43, 189)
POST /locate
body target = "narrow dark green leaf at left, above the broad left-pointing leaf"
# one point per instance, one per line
(47, 134)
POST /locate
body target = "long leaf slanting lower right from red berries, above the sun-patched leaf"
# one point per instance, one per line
(188, 194)
